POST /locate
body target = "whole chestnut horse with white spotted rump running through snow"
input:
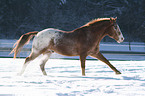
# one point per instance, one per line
(83, 41)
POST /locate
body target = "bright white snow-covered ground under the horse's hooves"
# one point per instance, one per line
(64, 78)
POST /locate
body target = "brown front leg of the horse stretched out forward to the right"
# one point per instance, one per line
(103, 59)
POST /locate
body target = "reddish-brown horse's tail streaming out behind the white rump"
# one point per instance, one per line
(25, 38)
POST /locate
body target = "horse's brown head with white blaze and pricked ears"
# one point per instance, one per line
(114, 31)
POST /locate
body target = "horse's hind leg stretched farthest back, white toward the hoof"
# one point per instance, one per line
(31, 57)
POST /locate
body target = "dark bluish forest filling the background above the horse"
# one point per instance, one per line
(21, 16)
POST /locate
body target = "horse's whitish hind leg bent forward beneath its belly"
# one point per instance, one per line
(43, 61)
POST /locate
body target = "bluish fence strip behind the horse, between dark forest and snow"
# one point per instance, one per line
(122, 51)
